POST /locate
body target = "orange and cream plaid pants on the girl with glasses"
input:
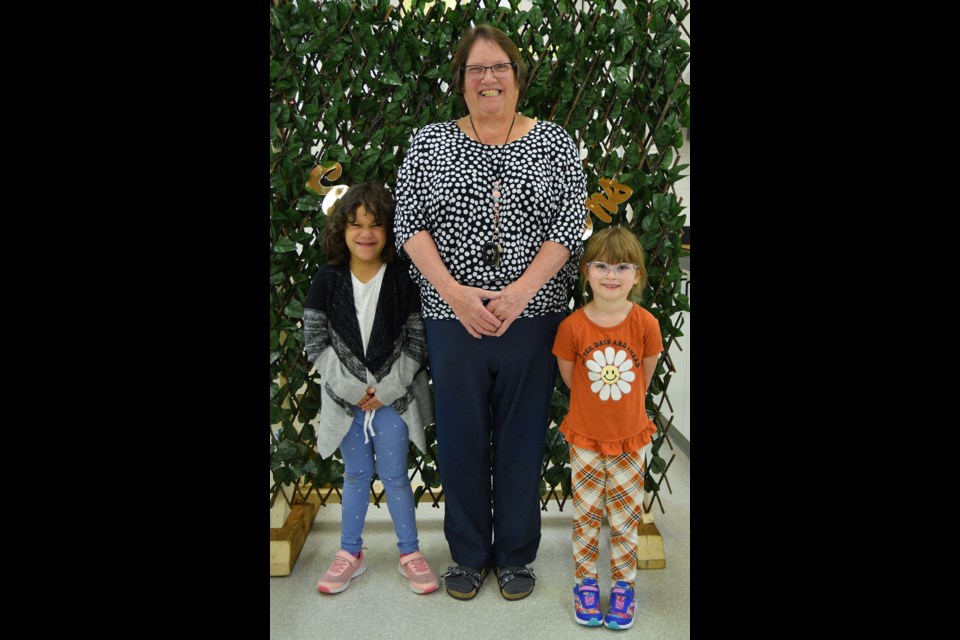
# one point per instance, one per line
(614, 483)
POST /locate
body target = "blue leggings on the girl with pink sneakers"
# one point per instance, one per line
(388, 451)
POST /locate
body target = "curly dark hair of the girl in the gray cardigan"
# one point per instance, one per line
(377, 201)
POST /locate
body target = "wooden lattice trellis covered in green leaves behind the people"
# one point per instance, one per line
(351, 82)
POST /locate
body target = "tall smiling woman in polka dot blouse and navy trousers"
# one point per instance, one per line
(490, 209)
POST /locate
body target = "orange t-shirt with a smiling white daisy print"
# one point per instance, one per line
(608, 396)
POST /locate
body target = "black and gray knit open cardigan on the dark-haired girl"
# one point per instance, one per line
(396, 353)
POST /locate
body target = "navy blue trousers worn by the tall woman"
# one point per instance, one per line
(492, 411)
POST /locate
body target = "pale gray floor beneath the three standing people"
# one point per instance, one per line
(379, 604)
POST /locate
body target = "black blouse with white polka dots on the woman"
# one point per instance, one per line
(445, 186)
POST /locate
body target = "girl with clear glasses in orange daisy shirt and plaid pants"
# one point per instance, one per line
(607, 351)
